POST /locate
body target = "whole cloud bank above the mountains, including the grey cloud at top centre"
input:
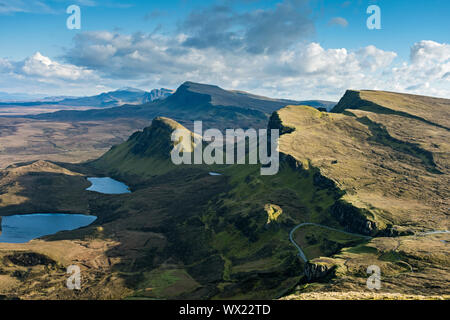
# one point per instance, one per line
(268, 51)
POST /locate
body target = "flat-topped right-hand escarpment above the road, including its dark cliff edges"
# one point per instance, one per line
(392, 174)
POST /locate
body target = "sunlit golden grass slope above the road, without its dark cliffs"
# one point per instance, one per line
(397, 182)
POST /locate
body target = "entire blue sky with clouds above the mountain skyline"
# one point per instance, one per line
(297, 49)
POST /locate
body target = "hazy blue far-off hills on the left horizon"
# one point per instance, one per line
(130, 96)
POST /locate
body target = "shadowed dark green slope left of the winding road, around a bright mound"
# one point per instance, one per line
(248, 243)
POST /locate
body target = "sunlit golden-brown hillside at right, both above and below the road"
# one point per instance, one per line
(389, 153)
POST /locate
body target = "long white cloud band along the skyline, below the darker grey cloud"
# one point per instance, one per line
(303, 71)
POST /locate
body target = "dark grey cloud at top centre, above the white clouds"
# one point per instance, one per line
(256, 32)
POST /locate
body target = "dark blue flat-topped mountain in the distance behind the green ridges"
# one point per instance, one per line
(217, 107)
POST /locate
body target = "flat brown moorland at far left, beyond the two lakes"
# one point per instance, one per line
(23, 140)
